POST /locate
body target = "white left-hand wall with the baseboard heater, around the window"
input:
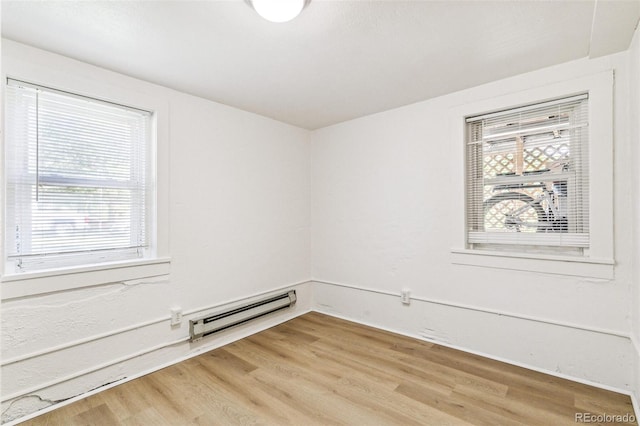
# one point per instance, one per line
(236, 193)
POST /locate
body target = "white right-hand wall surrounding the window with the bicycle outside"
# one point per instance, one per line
(385, 204)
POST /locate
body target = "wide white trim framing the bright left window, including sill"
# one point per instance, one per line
(99, 84)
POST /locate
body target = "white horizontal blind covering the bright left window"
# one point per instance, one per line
(76, 179)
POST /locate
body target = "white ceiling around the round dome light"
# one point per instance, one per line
(337, 61)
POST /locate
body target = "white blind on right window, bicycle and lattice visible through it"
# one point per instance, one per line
(528, 178)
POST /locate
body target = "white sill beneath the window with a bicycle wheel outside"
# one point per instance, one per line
(557, 265)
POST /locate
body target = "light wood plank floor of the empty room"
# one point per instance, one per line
(319, 370)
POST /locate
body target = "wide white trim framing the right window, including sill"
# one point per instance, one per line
(598, 261)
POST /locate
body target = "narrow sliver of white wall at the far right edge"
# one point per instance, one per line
(634, 53)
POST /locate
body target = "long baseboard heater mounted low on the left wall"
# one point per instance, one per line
(198, 328)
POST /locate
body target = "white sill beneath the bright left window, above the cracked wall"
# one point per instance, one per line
(52, 280)
